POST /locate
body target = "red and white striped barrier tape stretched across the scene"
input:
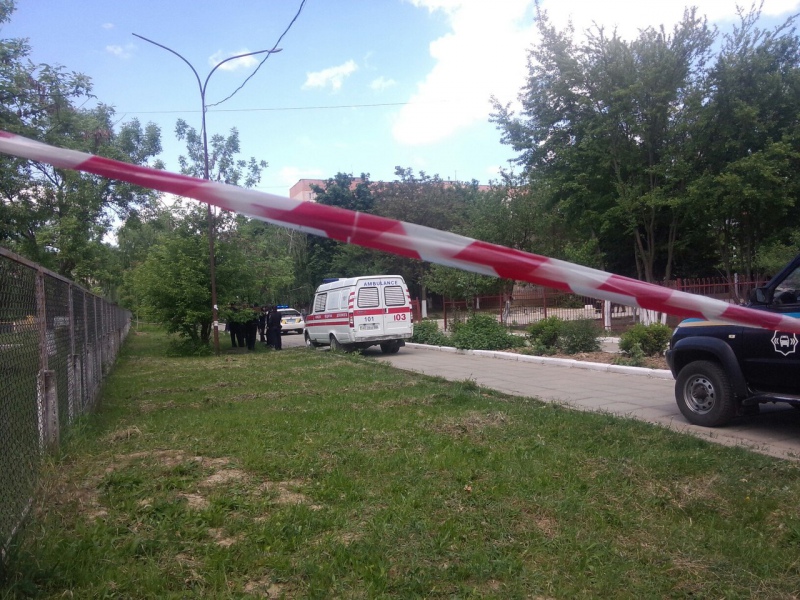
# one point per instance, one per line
(406, 239)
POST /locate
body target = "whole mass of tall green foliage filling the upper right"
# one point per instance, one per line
(676, 150)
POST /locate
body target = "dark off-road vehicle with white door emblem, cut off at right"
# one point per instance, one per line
(722, 370)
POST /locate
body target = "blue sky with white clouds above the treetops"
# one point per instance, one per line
(360, 85)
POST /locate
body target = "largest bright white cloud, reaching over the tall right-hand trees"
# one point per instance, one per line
(485, 52)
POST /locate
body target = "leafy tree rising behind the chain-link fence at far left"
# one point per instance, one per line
(56, 217)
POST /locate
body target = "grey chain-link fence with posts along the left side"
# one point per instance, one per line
(56, 343)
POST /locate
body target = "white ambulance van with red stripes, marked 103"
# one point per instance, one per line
(360, 312)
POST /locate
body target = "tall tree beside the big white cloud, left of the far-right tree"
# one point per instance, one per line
(601, 133)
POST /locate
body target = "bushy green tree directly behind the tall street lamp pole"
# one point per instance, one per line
(172, 282)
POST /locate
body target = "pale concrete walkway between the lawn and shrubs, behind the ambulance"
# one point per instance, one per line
(645, 394)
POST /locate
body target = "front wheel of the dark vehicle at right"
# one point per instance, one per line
(704, 394)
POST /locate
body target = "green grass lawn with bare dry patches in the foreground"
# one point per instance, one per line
(311, 474)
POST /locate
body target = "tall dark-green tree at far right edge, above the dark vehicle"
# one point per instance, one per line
(748, 144)
